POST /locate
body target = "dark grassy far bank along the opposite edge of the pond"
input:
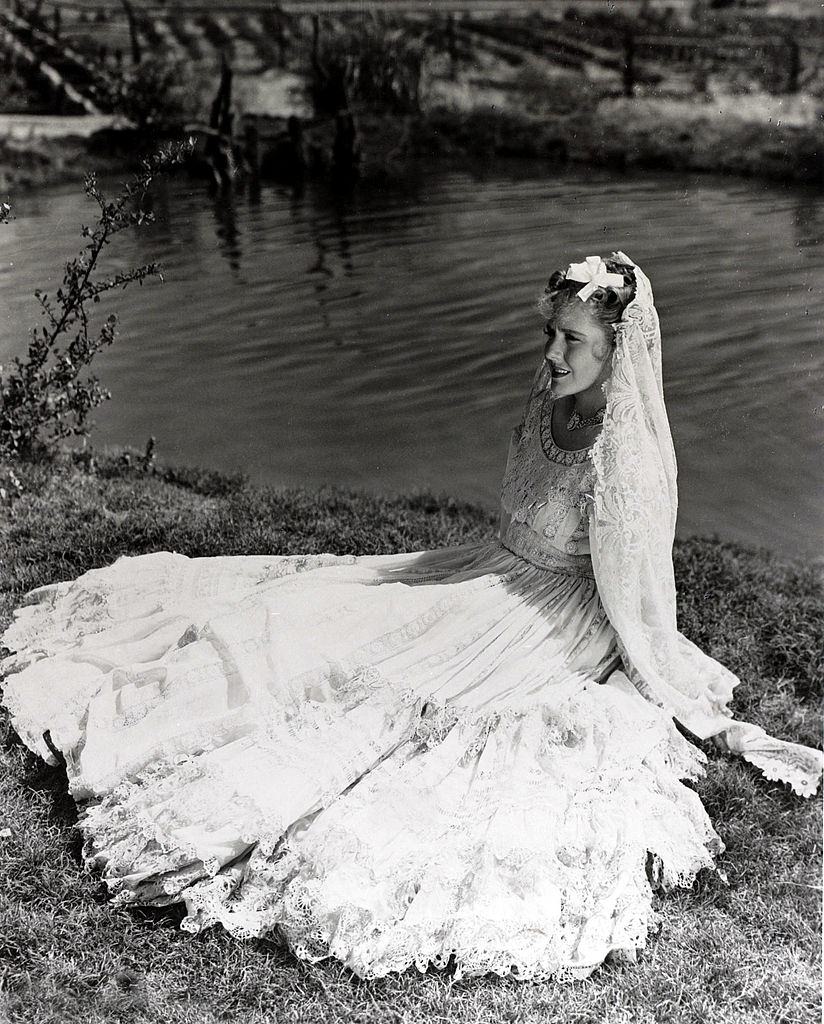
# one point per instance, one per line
(620, 135)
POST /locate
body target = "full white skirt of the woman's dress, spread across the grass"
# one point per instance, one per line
(445, 784)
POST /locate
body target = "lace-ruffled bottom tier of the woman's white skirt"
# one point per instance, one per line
(516, 843)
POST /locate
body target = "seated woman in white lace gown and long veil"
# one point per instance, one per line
(466, 754)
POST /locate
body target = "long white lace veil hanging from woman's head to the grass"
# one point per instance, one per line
(632, 529)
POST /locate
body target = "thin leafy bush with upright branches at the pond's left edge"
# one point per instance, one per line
(44, 398)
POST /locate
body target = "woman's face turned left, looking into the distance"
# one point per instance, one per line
(579, 350)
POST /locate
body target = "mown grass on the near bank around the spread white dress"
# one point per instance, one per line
(747, 952)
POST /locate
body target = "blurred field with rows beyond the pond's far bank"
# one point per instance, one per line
(501, 53)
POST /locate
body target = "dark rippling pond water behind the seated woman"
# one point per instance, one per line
(387, 342)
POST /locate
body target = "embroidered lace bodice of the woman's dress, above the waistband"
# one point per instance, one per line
(544, 496)
